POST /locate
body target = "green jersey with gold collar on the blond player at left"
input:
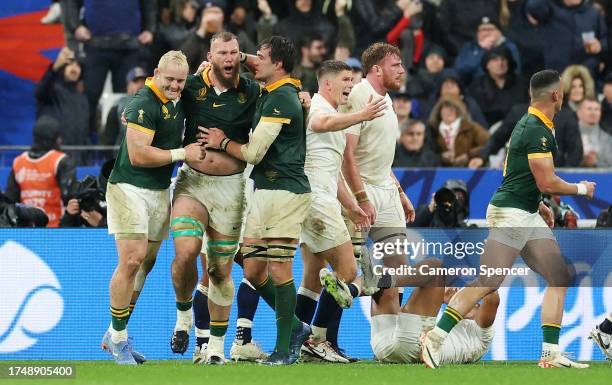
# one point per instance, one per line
(149, 111)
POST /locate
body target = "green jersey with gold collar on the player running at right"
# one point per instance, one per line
(532, 137)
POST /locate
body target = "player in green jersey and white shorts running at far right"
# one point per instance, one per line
(519, 224)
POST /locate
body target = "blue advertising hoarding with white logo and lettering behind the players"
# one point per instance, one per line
(54, 302)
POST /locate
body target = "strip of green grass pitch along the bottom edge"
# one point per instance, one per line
(370, 373)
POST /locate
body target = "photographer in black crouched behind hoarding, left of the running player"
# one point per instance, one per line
(449, 207)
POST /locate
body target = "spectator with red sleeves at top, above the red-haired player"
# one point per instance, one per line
(408, 34)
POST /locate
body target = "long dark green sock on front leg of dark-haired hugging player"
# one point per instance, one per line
(285, 313)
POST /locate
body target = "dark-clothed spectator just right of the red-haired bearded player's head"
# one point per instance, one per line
(428, 76)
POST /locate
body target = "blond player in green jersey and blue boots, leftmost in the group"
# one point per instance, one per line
(138, 195)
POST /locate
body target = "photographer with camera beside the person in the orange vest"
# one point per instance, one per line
(87, 206)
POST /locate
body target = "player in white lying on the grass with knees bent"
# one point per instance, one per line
(396, 331)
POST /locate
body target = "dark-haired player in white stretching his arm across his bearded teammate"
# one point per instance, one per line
(325, 238)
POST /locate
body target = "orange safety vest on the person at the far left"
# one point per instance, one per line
(37, 180)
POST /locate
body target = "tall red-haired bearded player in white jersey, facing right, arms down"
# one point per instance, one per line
(368, 157)
